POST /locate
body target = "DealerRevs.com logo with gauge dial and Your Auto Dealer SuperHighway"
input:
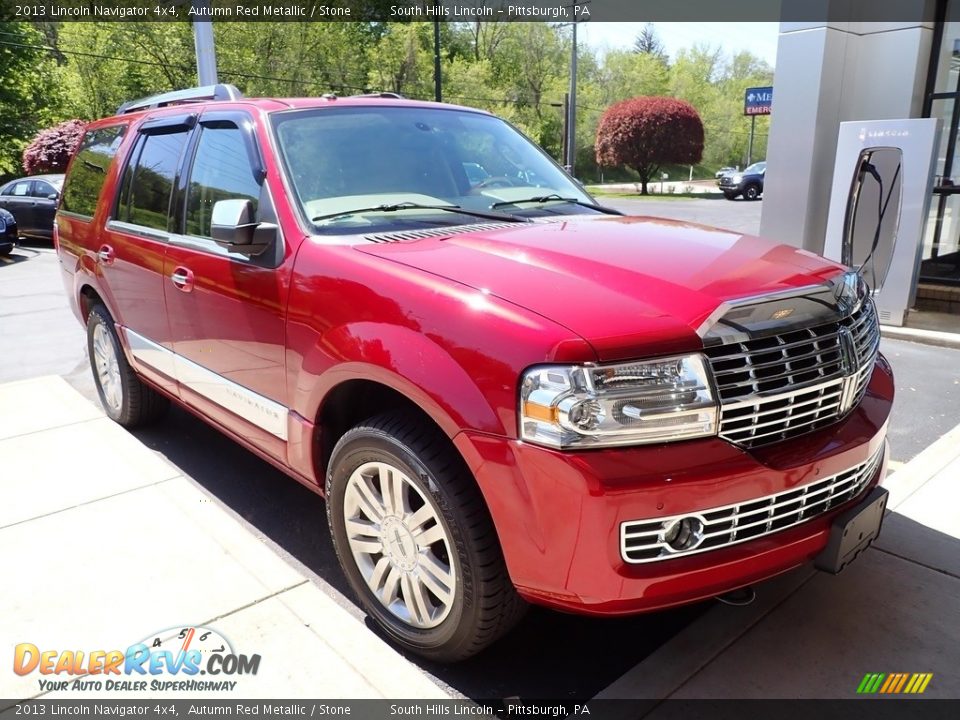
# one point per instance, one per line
(172, 659)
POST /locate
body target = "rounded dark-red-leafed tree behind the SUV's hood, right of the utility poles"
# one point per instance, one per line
(646, 133)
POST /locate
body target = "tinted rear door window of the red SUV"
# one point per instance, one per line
(148, 180)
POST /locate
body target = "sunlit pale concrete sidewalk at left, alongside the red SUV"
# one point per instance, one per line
(103, 544)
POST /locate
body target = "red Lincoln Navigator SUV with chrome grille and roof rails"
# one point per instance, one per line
(506, 392)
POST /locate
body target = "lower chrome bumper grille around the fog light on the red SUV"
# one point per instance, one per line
(643, 541)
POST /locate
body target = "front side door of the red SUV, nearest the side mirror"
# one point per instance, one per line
(227, 308)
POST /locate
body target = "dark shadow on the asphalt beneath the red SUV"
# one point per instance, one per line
(550, 654)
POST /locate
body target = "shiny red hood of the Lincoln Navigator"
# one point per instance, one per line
(627, 285)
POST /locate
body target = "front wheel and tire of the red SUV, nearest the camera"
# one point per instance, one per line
(415, 540)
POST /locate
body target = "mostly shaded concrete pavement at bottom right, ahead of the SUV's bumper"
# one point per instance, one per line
(812, 635)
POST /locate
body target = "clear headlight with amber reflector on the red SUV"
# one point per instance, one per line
(633, 403)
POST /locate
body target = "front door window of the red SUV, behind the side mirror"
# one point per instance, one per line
(221, 171)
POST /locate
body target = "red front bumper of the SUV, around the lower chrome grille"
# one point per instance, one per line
(558, 514)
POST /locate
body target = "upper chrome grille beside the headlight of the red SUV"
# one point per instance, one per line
(786, 385)
